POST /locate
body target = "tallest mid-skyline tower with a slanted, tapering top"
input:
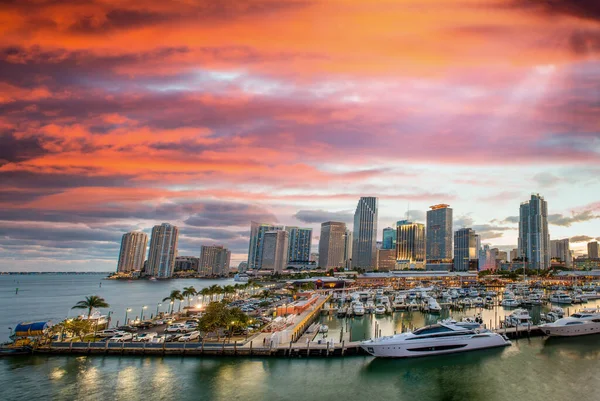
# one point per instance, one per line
(364, 235)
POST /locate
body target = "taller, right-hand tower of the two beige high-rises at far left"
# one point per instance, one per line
(163, 250)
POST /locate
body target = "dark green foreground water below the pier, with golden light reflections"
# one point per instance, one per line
(532, 370)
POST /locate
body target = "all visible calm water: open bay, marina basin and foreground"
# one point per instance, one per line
(532, 369)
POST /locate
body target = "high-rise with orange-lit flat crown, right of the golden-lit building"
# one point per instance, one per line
(439, 234)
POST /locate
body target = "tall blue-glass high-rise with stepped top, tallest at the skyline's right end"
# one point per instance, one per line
(534, 239)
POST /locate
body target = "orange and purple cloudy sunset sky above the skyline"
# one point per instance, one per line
(116, 115)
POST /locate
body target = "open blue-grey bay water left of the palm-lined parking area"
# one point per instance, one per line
(51, 296)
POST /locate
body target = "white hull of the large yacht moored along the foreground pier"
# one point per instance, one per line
(421, 348)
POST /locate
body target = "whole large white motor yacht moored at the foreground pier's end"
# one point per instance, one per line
(442, 338)
